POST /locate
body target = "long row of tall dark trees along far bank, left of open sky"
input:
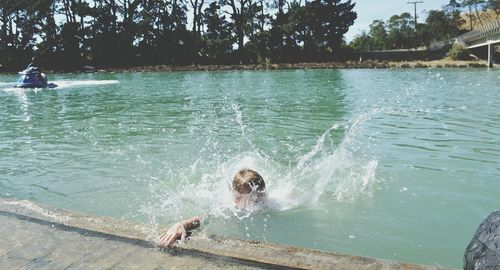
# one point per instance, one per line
(67, 34)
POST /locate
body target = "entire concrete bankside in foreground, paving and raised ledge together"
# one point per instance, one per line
(34, 236)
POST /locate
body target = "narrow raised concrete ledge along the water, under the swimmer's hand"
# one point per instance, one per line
(268, 255)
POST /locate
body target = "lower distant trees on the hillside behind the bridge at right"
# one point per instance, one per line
(399, 32)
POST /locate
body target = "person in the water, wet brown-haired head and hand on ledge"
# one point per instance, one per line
(249, 189)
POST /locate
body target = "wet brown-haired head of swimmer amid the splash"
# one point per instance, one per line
(248, 187)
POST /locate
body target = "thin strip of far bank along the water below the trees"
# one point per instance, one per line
(365, 64)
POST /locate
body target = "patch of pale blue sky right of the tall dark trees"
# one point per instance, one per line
(370, 10)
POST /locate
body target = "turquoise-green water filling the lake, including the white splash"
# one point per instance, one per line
(395, 164)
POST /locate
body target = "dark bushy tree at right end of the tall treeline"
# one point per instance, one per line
(313, 31)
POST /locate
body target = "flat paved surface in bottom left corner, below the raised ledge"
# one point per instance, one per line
(29, 243)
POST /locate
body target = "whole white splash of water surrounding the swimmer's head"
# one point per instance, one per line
(340, 171)
